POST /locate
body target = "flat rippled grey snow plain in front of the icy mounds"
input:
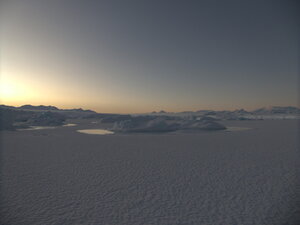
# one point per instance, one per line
(60, 176)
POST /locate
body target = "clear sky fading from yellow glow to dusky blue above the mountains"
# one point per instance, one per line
(140, 56)
